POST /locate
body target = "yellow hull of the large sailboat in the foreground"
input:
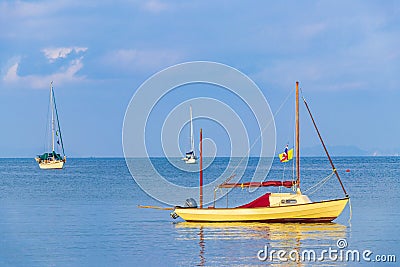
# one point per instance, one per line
(324, 211)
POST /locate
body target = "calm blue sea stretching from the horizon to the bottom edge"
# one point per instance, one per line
(87, 215)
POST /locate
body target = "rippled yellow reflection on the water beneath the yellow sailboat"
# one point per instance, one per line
(240, 242)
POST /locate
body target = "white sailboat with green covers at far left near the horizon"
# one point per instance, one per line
(53, 160)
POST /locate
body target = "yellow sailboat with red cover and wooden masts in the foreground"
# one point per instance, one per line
(271, 207)
